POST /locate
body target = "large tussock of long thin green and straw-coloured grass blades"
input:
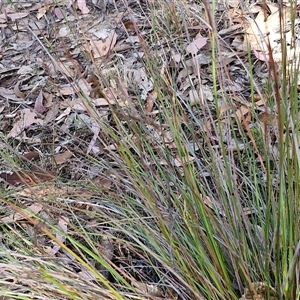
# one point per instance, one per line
(184, 201)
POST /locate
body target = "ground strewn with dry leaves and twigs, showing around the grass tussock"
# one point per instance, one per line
(48, 132)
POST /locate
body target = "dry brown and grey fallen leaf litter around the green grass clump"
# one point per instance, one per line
(61, 92)
